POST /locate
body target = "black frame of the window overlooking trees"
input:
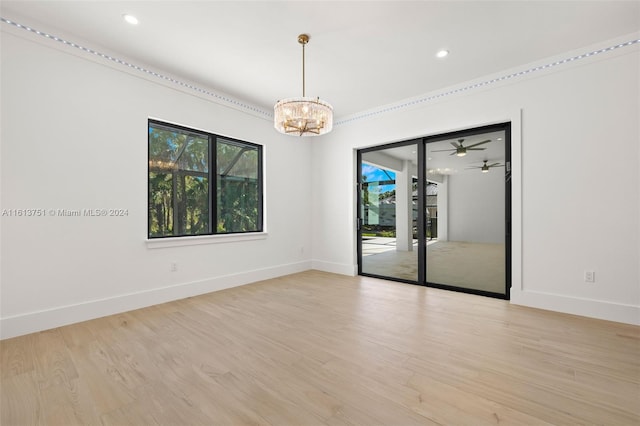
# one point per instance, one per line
(212, 176)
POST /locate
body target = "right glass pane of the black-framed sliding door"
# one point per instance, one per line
(465, 196)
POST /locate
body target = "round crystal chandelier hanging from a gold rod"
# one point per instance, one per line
(303, 116)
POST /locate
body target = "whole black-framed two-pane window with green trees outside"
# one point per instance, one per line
(201, 183)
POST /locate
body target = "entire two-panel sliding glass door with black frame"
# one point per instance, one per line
(436, 211)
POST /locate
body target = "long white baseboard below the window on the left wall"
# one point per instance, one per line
(63, 315)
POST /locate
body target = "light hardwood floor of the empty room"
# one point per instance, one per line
(322, 349)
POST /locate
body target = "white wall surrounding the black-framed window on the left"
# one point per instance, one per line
(74, 136)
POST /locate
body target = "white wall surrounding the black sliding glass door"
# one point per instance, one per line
(576, 182)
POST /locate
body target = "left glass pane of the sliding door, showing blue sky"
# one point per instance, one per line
(388, 212)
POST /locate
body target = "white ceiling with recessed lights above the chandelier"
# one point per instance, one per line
(362, 54)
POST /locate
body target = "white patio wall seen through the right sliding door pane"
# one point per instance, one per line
(476, 206)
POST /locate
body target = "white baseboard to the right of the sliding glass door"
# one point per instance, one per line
(610, 311)
